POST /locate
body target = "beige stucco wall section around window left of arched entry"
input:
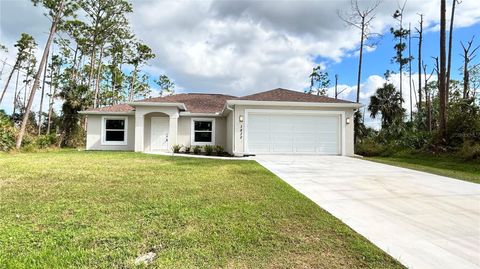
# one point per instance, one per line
(94, 134)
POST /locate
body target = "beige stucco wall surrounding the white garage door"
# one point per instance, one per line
(239, 141)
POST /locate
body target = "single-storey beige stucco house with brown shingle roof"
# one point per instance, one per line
(278, 121)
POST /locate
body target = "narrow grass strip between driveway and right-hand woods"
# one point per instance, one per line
(440, 165)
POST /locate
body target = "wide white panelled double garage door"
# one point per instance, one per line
(300, 134)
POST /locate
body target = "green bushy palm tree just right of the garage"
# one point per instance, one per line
(387, 102)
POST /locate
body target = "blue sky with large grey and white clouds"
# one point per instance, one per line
(243, 47)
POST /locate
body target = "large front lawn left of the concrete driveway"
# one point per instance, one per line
(70, 209)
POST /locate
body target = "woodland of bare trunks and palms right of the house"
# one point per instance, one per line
(447, 114)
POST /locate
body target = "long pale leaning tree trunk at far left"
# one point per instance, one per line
(37, 76)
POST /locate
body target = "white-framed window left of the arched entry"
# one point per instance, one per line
(114, 131)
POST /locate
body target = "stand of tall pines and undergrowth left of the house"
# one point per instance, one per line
(92, 58)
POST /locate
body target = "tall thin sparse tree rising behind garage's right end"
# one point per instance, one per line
(361, 18)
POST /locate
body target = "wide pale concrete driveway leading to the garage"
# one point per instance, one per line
(423, 220)
